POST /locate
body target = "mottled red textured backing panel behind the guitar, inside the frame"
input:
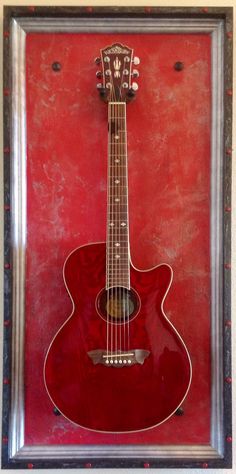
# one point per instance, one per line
(169, 178)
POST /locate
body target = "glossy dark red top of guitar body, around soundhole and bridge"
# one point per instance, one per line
(114, 399)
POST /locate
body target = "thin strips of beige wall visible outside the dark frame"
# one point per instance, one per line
(216, 3)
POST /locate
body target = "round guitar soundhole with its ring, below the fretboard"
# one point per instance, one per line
(118, 305)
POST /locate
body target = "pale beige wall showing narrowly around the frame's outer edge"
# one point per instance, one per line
(136, 3)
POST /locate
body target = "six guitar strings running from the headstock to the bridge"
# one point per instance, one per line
(117, 295)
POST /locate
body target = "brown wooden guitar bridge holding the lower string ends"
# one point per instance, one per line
(118, 358)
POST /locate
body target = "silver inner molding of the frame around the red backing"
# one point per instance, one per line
(19, 29)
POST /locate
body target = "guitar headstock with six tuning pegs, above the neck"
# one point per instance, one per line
(117, 73)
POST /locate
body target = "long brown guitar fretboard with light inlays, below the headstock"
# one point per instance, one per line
(118, 261)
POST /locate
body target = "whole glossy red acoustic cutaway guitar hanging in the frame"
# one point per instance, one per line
(117, 364)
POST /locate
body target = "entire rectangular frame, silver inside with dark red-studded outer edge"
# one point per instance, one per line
(18, 23)
